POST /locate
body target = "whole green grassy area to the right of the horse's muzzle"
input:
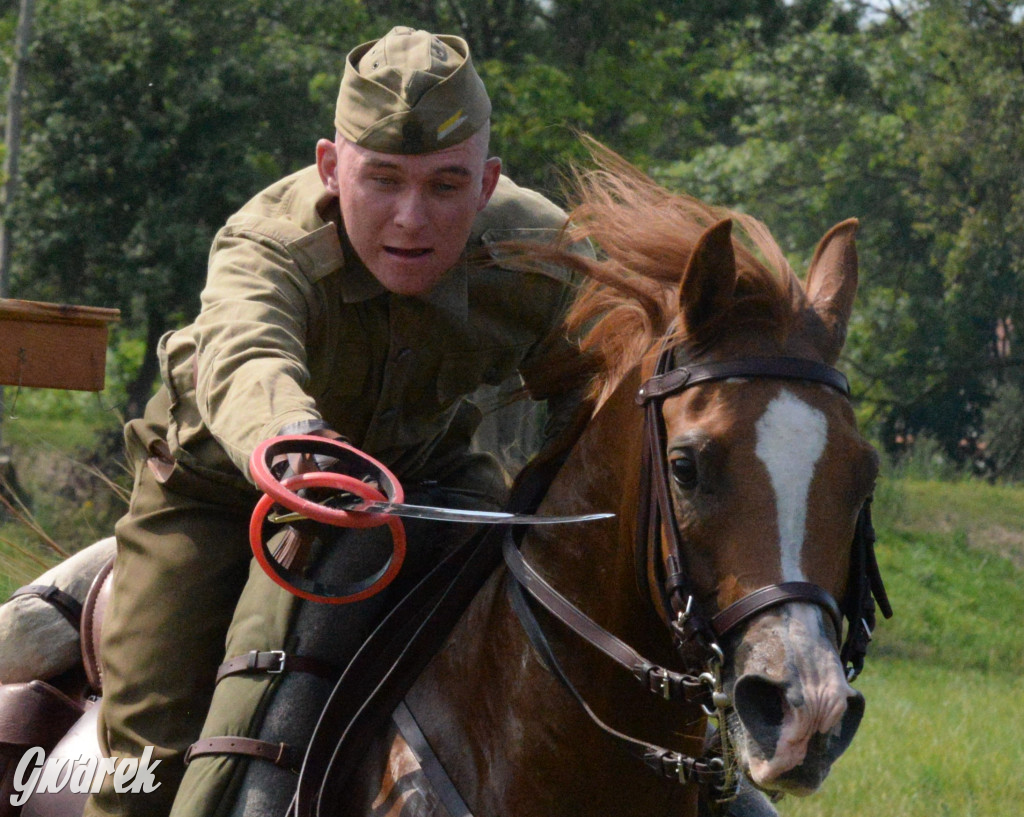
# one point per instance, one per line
(944, 735)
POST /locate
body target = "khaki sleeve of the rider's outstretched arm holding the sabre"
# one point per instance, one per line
(251, 340)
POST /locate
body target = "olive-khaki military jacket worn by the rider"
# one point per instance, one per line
(294, 329)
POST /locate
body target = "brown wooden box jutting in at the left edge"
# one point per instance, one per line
(54, 347)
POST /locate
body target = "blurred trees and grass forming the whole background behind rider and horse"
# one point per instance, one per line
(148, 122)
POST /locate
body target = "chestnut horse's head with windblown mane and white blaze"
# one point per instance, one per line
(760, 527)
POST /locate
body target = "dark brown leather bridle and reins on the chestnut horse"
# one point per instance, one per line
(660, 553)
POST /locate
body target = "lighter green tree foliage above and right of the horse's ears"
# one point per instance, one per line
(913, 122)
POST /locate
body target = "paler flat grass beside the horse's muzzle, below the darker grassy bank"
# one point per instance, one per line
(935, 742)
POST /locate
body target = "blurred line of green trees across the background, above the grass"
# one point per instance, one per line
(148, 122)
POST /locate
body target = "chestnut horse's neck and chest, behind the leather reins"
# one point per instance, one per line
(510, 736)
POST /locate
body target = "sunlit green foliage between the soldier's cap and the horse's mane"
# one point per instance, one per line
(630, 73)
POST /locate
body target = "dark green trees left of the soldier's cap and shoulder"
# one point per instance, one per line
(149, 122)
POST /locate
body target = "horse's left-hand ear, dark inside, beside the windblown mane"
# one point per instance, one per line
(710, 280)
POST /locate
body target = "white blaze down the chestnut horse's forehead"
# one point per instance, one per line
(792, 437)
